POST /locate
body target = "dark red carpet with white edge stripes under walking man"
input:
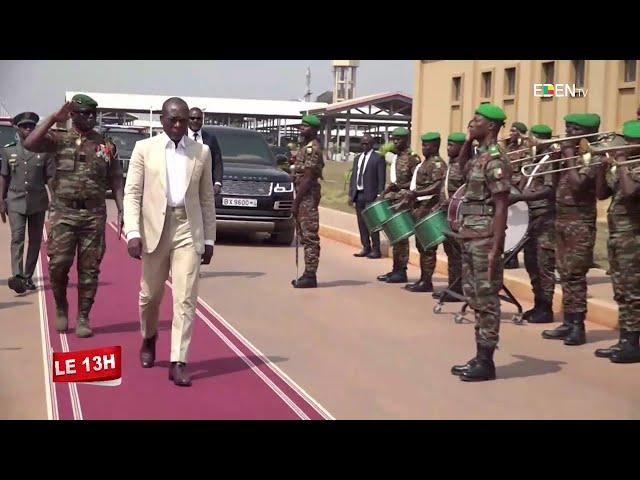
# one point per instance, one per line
(230, 381)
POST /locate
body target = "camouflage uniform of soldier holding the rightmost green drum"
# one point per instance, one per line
(430, 172)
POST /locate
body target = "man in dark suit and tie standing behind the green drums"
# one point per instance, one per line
(367, 182)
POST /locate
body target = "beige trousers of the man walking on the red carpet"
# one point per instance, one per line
(176, 254)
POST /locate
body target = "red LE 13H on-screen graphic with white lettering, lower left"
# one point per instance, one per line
(100, 366)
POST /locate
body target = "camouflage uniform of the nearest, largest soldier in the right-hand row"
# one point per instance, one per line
(487, 173)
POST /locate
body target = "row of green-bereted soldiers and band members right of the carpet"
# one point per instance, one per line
(561, 228)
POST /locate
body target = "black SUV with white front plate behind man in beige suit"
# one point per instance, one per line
(257, 196)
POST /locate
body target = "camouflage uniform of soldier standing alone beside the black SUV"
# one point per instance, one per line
(309, 157)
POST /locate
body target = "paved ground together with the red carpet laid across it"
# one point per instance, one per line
(353, 348)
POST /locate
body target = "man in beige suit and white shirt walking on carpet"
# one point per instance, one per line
(170, 223)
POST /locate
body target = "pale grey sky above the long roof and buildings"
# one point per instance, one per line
(39, 85)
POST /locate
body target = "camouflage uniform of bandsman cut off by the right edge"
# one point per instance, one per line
(624, 252)
